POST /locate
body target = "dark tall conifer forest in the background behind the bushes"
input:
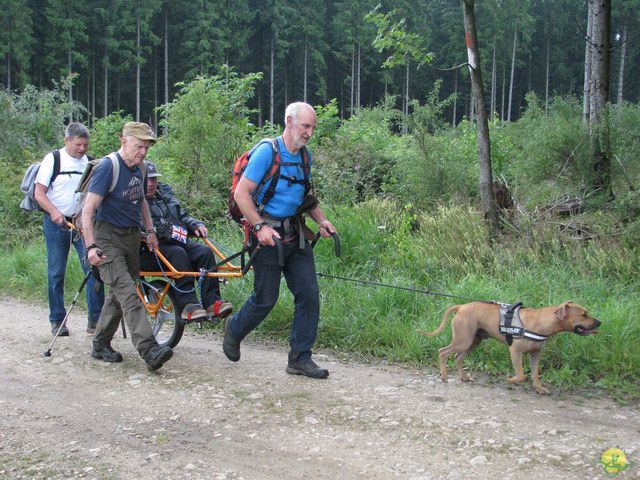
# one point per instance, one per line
(132, 56)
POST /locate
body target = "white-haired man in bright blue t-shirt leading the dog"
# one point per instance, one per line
(277, 218)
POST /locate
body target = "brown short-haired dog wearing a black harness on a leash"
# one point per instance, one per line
(476, 321)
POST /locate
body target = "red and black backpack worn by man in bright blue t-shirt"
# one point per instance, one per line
(272, 174)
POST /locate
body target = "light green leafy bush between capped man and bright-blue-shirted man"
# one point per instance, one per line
(205, 128)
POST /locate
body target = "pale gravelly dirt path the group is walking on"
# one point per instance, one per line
(203, 417)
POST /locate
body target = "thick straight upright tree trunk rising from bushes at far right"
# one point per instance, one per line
(599, 94)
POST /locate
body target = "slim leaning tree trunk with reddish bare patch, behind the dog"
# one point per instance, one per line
(484, 144)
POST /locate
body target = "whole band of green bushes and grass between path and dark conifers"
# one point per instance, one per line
(406, 208)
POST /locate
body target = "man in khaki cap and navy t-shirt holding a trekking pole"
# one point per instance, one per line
(113, 244)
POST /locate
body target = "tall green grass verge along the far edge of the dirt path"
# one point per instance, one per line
(443, 251)
